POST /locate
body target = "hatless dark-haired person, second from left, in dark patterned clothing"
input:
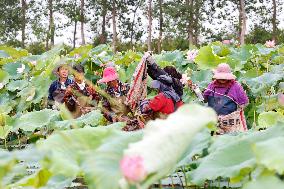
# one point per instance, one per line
(79, 96)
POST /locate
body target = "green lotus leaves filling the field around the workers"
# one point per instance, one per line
(85, 147)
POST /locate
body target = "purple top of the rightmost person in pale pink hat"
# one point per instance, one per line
(236, 92)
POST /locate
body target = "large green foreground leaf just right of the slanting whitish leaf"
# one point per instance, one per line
(232, 156)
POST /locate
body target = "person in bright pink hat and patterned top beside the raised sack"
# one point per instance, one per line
(114, 108)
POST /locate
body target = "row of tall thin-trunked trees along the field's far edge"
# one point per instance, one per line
(144, 25)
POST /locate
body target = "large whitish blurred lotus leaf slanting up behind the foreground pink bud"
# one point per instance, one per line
(158, 148)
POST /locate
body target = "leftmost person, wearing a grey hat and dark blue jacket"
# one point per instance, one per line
(58, 87)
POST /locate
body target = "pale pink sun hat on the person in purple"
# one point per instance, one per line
(223, 71)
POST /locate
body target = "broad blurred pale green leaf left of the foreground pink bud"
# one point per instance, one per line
(87, 150)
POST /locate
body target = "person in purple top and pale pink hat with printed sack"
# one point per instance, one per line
(228, 98)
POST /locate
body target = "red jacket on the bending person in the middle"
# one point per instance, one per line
(161, 103)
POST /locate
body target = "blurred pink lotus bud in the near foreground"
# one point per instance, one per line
(133, 168)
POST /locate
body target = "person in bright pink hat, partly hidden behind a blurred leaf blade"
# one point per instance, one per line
(115, 88)
